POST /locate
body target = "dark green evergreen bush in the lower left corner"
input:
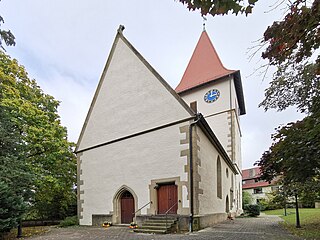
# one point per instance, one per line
(11, 207)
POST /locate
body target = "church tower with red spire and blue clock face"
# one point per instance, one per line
(216, 92)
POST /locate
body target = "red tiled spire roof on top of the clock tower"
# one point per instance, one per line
(204, 66)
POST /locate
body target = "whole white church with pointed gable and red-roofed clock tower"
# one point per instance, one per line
(147, 150)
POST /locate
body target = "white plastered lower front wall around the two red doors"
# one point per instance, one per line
(133, 162)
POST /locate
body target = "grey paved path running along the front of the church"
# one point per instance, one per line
(263, 227)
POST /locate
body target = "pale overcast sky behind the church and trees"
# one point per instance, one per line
(64, 46)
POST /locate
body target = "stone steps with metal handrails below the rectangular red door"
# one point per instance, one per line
(158, 225)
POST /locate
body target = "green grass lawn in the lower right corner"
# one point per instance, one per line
(309, 221)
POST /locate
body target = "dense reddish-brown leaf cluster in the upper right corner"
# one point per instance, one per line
(296, 37)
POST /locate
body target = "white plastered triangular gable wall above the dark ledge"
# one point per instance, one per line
(130, 99)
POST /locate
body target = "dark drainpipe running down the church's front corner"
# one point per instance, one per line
(191, 173)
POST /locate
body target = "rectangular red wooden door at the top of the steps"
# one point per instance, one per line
(167, 197)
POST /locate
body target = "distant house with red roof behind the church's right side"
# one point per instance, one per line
(253, 184)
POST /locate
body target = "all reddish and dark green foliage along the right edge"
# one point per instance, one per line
(293, 47)
